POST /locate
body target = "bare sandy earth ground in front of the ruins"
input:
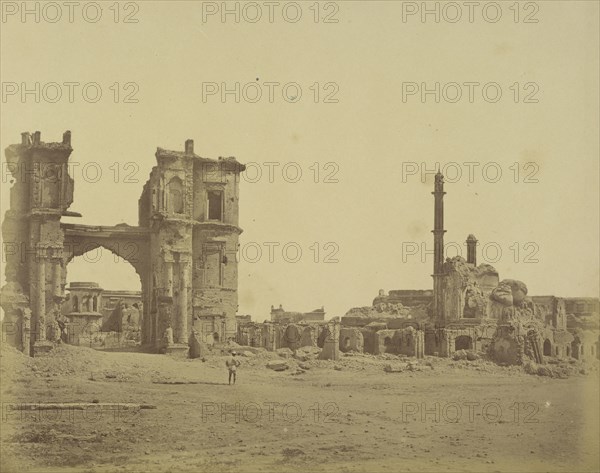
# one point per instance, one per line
(344, 416)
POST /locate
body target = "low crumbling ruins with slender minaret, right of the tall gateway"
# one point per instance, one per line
(468, 309)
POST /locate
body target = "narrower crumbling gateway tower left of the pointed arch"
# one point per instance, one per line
(33, 241)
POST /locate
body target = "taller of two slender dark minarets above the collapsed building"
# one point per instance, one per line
(438, 248)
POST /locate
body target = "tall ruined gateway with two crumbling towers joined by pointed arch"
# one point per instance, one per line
(188, 223)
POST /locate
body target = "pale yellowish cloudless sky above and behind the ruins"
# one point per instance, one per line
(371, 135)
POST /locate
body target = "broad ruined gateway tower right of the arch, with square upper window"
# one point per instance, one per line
(190, 204)
